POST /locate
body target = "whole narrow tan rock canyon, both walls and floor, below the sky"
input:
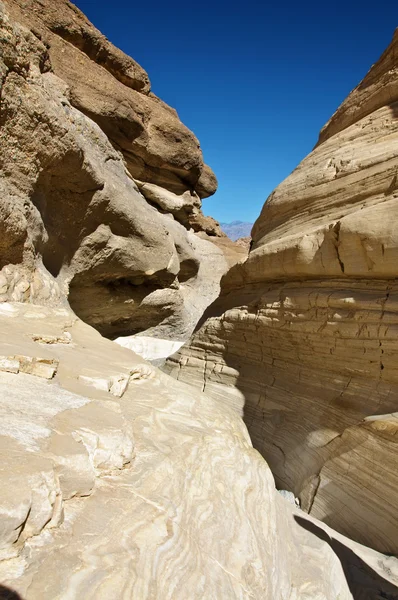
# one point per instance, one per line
(277, 351)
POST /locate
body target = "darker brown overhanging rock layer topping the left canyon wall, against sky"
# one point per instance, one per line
(113, 90)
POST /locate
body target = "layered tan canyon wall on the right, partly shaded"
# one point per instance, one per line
(303, 340)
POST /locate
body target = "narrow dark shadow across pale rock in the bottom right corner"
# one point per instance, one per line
(363, 581)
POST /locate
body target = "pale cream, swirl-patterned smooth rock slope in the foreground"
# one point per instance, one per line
(161, 465)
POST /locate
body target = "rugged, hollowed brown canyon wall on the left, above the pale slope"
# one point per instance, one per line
(74, 223)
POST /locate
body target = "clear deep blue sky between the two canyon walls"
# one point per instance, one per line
(255, 81)
